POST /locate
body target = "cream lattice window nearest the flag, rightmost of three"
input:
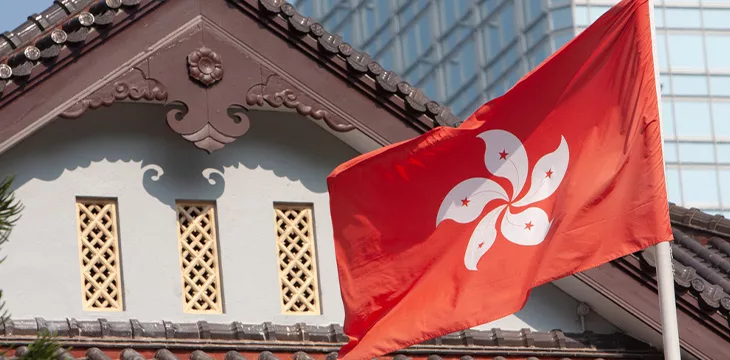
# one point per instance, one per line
(297, 264)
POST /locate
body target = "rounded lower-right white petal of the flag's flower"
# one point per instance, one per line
(525, 228)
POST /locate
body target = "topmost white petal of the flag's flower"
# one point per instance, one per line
(506, 157)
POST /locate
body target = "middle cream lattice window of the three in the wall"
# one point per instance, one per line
(199, 258)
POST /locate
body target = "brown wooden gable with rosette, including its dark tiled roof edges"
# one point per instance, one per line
(211, 62)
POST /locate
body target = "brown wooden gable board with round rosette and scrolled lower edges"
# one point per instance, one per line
(208, 116)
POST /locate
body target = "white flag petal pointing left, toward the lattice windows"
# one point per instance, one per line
(466, 201)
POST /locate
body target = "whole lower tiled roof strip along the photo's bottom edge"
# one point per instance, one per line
(268, 339)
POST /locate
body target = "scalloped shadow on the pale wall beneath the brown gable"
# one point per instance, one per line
(289, 145)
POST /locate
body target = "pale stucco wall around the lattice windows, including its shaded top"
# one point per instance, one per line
(116, 152)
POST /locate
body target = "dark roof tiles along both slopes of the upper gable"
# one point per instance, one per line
(68, 23)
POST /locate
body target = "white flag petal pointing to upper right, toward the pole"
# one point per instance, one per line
(547, 175)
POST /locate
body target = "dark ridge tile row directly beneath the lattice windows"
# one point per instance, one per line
(298, 333)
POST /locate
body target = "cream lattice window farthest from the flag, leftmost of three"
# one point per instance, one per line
(99, 254)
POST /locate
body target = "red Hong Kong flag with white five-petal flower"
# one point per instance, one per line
(452, 229)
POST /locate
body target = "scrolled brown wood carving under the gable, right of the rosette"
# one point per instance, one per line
(275, 92)
